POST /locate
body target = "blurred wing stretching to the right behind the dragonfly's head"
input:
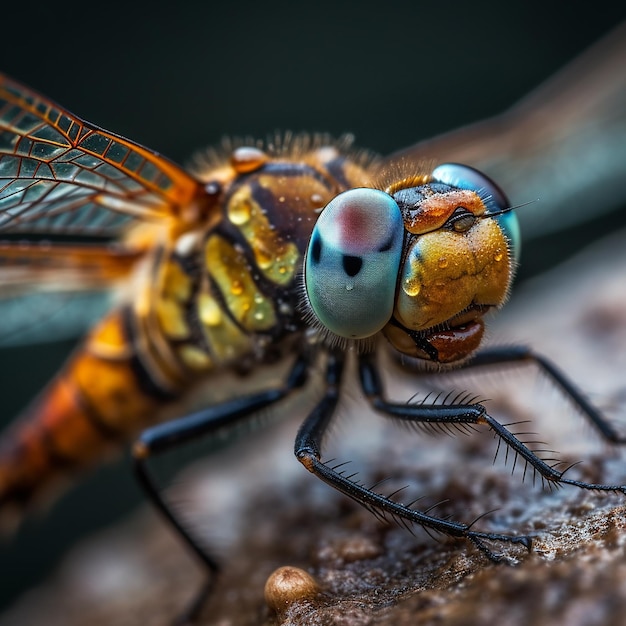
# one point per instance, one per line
(564, 144)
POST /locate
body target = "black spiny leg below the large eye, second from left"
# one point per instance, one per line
(308, 451)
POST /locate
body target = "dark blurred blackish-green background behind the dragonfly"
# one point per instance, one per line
(179, 77)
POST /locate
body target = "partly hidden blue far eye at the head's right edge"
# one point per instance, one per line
(466, 177)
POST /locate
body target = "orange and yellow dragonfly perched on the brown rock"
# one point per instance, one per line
(299, 249)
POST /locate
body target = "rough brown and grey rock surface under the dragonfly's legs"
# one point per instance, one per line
(262, 510)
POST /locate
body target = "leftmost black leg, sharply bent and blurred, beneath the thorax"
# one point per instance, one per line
(175, 433)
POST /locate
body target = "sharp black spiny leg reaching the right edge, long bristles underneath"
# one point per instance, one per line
(461, 414)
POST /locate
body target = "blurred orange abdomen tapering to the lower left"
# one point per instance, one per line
(101, 398)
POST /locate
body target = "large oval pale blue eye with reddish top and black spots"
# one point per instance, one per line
(352, 262)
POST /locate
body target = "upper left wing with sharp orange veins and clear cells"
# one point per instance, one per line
(61, 175)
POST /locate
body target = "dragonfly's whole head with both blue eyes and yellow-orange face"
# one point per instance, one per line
(422, 262)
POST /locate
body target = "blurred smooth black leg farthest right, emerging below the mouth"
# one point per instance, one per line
(517, 354)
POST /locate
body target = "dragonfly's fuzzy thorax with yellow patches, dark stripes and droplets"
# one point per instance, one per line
(232, 291)
